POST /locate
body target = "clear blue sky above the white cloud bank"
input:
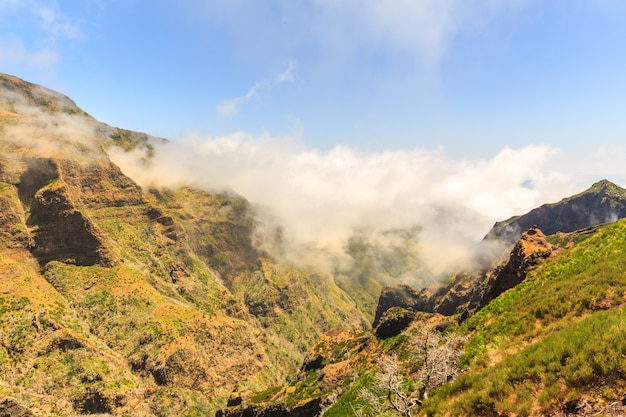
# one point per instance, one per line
(473, 76)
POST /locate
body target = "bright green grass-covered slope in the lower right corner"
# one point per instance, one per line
(557, 339)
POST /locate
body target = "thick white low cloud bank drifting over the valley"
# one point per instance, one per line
(322, 200)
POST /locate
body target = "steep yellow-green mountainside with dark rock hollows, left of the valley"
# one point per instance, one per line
(118, 300)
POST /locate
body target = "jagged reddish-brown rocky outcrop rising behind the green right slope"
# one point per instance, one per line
(466, 292)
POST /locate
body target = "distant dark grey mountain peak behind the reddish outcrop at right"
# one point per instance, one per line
(603, 202)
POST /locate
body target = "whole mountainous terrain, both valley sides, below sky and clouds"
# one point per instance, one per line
(122, 300)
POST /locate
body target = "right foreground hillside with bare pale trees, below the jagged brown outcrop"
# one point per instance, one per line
(552, 345)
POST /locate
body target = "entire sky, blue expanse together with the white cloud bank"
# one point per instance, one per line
(369, 114)
